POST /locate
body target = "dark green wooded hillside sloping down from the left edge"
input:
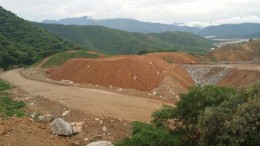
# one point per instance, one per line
(23, 43)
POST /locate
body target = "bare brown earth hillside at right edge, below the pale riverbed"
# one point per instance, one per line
(233, 53)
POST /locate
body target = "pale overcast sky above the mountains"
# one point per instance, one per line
(189, 12)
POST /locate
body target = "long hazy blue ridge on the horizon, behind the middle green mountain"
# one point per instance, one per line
(129, 25)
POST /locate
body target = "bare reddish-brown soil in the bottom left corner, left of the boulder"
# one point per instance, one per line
(24, 132)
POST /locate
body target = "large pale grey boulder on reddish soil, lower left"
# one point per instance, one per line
(61, 127)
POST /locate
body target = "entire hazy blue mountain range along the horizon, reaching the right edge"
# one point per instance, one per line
(245, 30)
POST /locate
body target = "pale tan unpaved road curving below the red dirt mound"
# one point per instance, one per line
(96, 102)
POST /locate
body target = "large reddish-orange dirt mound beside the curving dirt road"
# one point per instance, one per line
(133, 72)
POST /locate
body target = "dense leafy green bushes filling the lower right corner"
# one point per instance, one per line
(207, 115)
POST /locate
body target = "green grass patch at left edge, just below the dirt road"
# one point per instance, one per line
(8, 106)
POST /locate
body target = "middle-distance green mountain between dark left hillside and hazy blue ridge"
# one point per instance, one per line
(113, 41)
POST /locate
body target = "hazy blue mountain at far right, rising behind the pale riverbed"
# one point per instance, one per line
(231, 30)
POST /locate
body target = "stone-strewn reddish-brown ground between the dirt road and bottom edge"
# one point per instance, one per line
(31, 130)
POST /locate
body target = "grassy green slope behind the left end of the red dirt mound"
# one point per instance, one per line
(61, 58)
